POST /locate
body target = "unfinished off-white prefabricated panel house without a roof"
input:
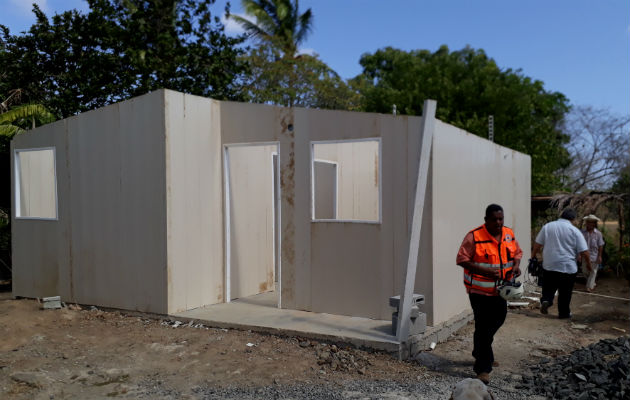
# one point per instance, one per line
(169, 202)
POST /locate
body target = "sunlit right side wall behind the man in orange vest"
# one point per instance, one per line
(469, 173)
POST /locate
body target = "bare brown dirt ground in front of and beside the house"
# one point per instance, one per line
(81, 352)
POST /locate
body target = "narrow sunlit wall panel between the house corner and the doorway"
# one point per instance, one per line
(194, 202)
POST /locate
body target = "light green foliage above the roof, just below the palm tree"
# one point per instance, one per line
(303, 81)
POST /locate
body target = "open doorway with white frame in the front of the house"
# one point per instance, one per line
(251, 178)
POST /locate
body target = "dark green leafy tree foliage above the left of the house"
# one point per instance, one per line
(76, 62)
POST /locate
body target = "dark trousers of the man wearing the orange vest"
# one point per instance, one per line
(490, 313)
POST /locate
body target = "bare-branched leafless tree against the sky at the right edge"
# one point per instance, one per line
(598, 147)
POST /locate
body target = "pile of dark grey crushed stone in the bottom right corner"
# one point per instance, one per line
(599, 371)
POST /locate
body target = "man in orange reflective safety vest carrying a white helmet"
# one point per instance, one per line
(488, 254)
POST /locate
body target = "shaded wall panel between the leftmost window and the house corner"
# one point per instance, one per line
(118, 217)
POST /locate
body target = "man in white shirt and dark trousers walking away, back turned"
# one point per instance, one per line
(561, 243)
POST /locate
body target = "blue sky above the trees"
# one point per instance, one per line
(580, 48)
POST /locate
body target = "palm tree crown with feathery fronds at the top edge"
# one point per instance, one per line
(277, 22)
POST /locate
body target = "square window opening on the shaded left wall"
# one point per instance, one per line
(35, 184)
